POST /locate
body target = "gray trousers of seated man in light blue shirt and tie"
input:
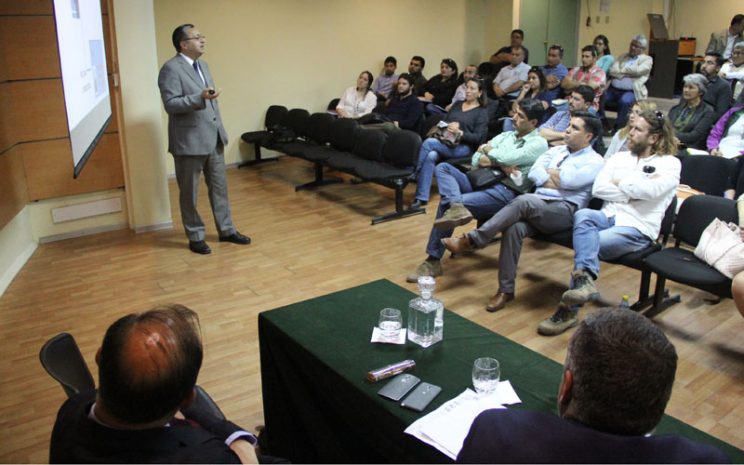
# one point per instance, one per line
(523, 217)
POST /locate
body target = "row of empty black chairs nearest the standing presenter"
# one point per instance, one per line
(387, 158)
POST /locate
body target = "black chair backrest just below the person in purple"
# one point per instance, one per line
(706, 173)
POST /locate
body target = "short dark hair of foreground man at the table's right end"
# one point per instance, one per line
(623, 370)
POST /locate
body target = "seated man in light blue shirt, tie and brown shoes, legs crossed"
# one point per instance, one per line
(564, 176)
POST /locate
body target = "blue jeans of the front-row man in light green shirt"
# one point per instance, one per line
(454, 187)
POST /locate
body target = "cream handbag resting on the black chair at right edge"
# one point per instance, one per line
(721, 247)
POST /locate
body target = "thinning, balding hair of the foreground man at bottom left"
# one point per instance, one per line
(138, 392)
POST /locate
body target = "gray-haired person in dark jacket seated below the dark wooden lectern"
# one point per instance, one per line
(692, 118)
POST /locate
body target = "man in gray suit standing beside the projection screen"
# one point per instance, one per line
(196, 137)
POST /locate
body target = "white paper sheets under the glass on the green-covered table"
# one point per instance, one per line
(446, 427)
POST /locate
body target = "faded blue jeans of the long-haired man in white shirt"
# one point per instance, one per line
(596, 237)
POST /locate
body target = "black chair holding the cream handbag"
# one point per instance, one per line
(681, 265)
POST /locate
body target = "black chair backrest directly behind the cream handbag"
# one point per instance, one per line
(697, 212)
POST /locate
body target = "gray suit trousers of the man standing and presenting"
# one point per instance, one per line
(188, 172)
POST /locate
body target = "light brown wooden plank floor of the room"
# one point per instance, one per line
(307, 244)
